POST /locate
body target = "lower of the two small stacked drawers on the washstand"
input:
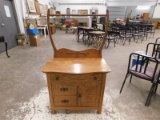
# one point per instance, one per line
(64, 101)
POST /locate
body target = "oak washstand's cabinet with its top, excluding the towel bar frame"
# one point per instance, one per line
(76, 83)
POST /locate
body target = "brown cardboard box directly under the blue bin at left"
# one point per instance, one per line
(34, 40)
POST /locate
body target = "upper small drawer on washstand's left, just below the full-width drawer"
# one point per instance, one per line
(64, 90)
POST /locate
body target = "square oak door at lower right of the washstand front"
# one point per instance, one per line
(89, 95)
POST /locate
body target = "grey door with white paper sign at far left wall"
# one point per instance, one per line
(8, 24)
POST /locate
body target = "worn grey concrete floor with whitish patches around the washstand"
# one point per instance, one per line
(22, 82)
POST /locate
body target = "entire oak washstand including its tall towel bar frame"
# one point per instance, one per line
(76, 79)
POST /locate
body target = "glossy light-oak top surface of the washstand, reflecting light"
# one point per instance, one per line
(76, 65)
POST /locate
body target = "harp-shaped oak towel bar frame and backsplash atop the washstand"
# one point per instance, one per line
(88, 52)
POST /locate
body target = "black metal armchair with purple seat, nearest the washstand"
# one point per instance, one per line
(141, 67)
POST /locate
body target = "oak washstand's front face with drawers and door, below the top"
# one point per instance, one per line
(76, 90)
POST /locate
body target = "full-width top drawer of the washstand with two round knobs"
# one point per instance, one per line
(91, 78)
